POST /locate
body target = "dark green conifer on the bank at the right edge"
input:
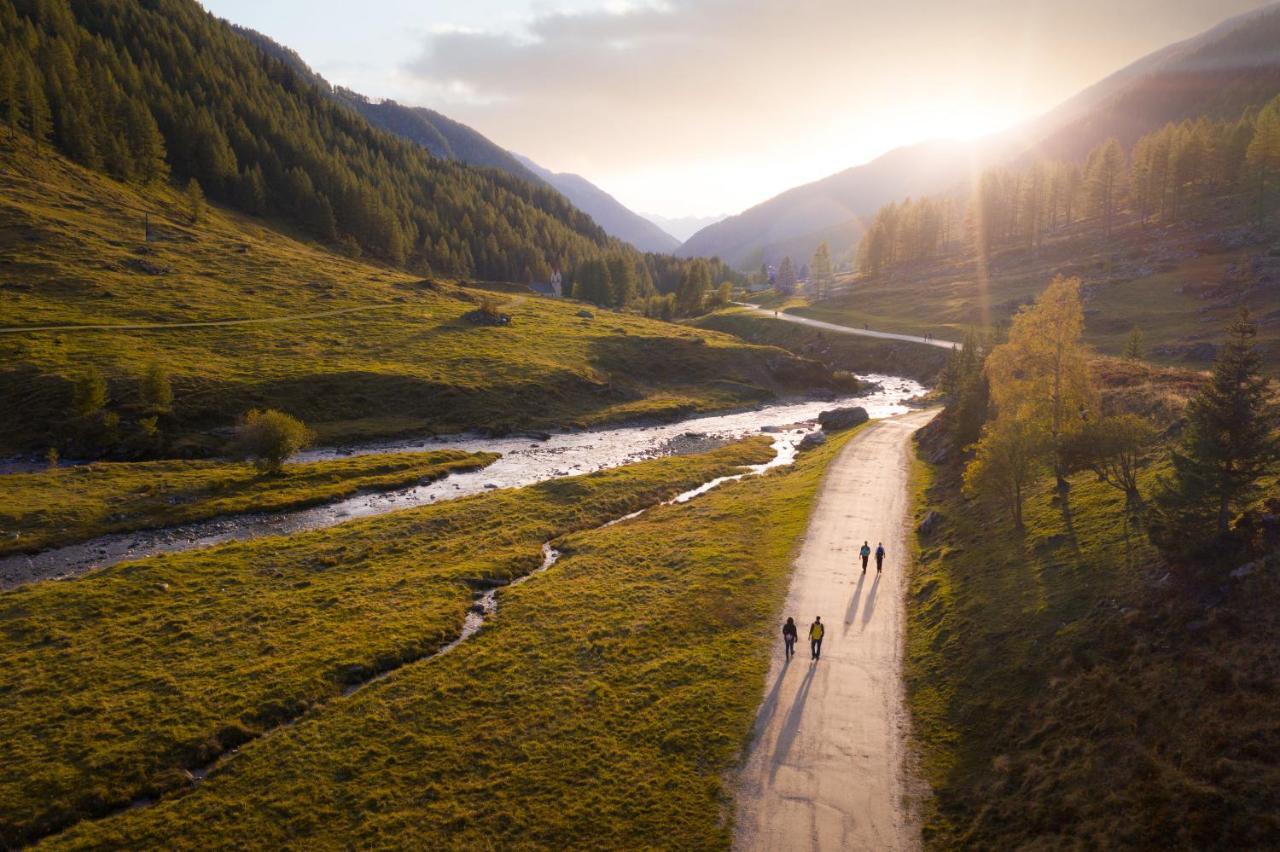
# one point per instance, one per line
(1227, 448)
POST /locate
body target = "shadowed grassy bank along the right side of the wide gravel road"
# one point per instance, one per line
(1067, 693)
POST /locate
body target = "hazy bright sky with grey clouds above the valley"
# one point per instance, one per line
(700, 107)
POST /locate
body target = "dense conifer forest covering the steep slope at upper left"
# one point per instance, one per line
(145, 90)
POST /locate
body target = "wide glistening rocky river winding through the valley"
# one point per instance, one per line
(525, 461)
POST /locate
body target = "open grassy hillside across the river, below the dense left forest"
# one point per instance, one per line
(382, 354)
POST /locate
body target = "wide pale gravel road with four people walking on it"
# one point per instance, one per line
(826, 768)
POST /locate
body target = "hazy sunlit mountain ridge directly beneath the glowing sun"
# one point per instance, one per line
(1174, 83)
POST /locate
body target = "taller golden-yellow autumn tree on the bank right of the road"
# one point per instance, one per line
(1041, 375)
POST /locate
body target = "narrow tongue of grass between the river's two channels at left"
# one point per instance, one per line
(70, 505)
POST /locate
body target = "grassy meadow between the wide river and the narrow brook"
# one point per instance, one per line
(180, 658)
